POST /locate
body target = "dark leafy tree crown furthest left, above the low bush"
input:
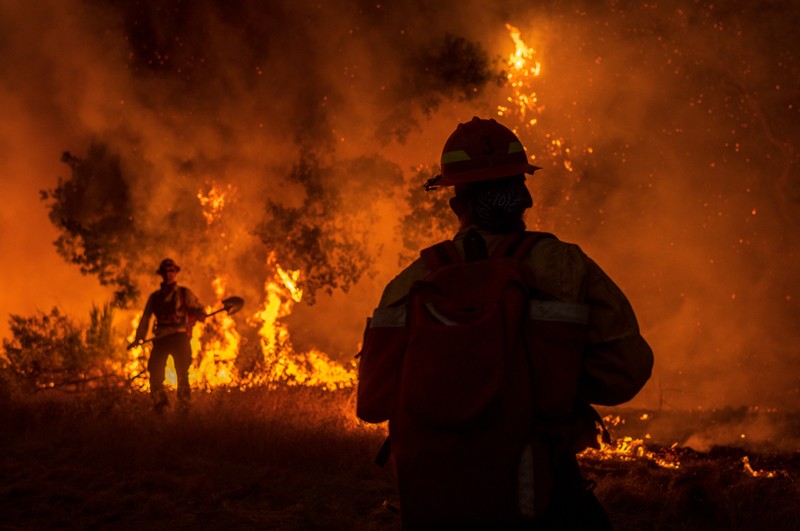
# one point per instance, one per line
(93, 212)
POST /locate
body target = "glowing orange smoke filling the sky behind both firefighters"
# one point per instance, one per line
(668, 133)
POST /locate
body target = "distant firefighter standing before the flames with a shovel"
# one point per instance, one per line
(176, 310)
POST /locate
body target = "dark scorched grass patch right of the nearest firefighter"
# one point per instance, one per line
(708, 492)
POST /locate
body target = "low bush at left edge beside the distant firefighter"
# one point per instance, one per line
(52, 351)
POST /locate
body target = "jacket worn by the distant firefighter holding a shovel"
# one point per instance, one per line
(175, 308)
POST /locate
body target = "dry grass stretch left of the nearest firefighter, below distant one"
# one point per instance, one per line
(289, 459)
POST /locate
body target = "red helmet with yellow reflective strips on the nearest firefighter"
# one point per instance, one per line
(481, 150)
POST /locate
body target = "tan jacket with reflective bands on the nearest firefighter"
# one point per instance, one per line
(581, 326)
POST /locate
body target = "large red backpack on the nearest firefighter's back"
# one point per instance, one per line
(456, 384)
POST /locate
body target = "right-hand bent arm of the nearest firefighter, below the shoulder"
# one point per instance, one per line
(617, 360)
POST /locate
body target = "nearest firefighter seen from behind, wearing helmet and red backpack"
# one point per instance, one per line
(486, 352)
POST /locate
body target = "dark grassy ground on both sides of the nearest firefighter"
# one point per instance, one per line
(296, 459)
